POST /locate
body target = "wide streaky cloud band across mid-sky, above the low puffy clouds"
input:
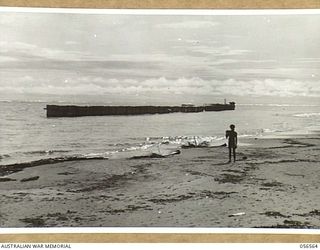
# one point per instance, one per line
(203, 60)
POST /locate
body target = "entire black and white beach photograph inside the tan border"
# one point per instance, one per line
(204, 119)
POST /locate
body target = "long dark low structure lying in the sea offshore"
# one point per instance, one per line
(75, 111)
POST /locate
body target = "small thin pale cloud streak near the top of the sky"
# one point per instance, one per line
(188, 25)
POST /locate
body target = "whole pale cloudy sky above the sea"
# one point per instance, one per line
(152, 57)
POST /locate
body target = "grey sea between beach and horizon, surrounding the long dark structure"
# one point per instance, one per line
(26, 134)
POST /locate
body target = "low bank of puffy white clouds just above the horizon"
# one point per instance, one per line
(92, 85)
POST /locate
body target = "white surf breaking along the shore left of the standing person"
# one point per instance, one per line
(154, 147)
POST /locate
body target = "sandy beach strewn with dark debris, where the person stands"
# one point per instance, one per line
(274, 184)
